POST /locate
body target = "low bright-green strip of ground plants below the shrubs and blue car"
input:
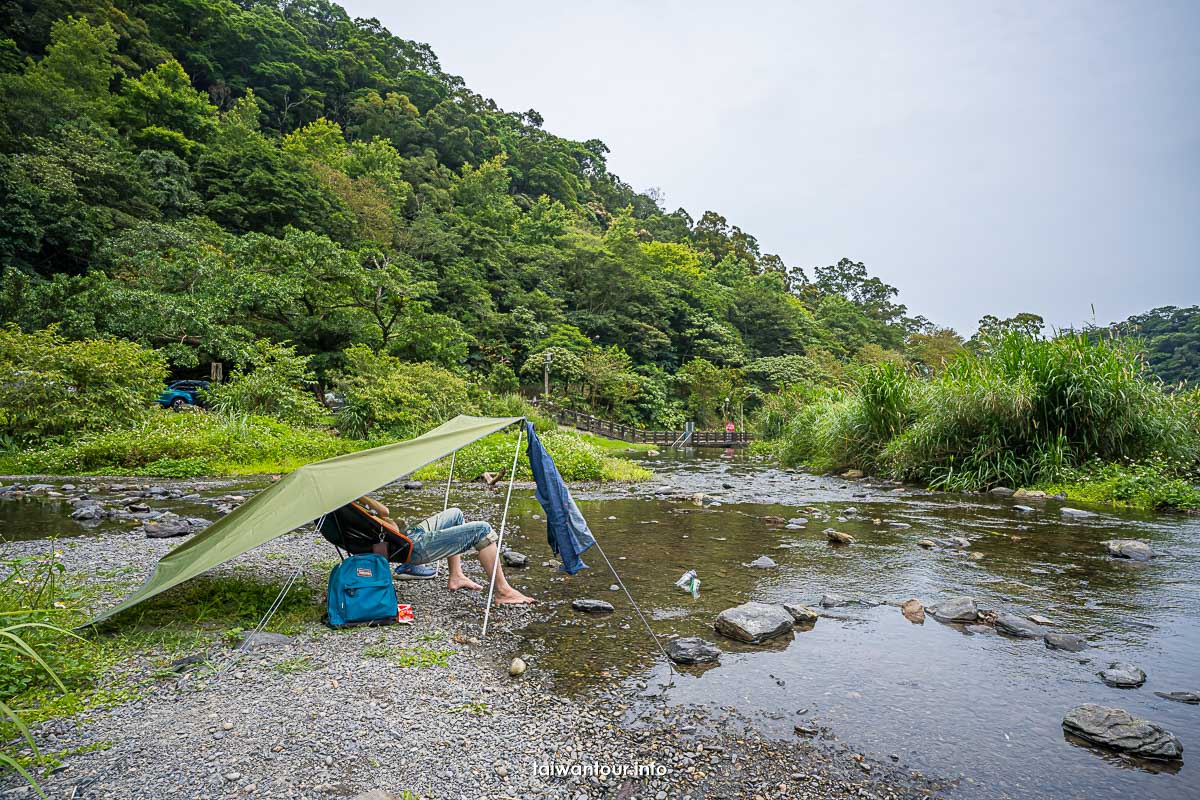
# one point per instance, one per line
(184, 446)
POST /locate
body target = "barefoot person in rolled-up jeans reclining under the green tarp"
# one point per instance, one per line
(446, 536)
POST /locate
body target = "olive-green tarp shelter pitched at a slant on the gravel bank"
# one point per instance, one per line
(303, 497)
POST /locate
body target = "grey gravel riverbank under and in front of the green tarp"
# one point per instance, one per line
(323, 715)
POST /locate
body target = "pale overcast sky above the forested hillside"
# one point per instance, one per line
(985, 159)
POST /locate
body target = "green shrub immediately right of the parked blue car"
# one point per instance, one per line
(271, 384)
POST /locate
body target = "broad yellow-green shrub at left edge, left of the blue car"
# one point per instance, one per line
(53, 387)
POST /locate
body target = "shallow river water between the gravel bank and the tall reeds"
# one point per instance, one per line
(946, 700)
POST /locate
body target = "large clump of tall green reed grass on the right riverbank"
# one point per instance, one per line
(1019, 413)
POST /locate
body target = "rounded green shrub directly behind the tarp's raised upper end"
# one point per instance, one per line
(386, 396)
